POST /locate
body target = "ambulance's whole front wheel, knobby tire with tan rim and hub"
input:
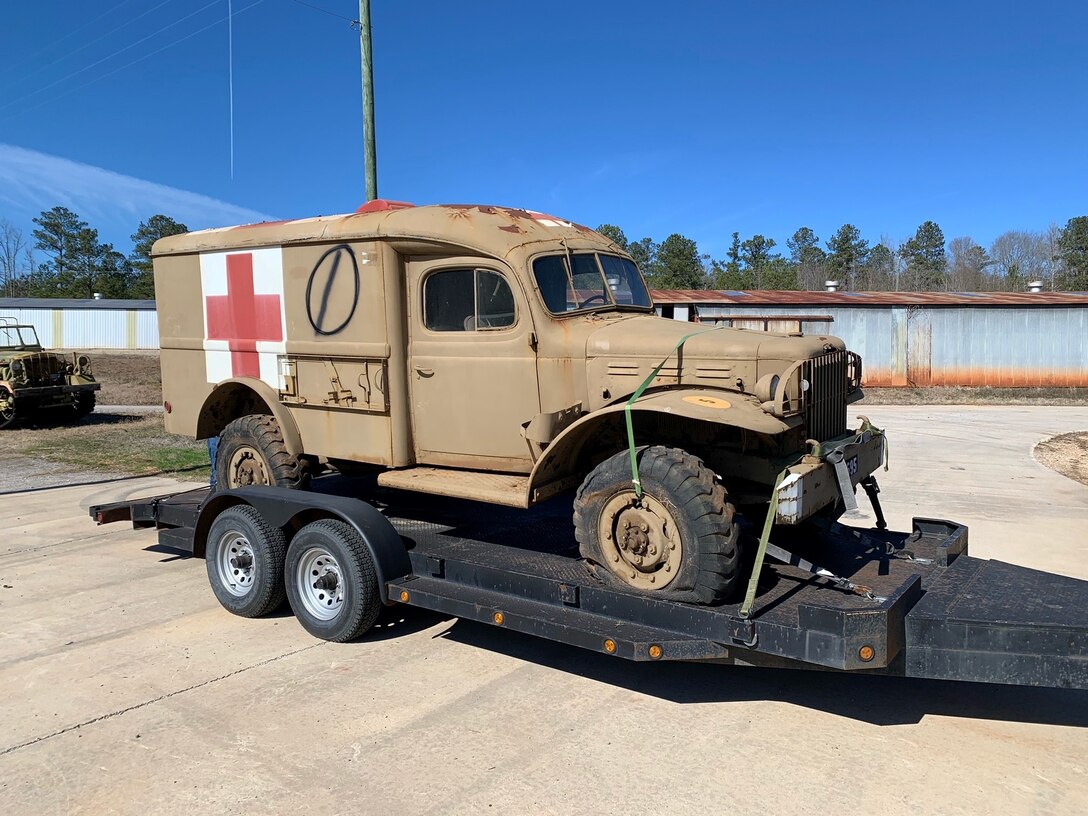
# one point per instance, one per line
(679, 541)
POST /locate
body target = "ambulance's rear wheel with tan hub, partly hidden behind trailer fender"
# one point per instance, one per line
(252, 451)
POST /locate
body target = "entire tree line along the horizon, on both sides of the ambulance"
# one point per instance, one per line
(65, 257)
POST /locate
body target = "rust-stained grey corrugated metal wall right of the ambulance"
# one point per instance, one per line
(918, 345)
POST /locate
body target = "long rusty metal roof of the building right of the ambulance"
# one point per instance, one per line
(777, 298)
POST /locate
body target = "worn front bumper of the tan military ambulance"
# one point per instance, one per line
(812, 485)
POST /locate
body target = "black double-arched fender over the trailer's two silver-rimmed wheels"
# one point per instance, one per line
(290, 511)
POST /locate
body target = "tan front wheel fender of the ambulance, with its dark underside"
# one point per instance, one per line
(560, 464)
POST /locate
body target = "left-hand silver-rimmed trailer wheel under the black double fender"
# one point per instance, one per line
(245, 561)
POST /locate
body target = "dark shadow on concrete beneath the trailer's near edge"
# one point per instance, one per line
(882, 701)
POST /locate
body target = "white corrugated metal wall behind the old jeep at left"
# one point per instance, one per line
(91, 328)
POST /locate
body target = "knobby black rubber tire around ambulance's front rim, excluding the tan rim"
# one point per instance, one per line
(706, 520)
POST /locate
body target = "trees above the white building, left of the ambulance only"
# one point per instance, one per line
(65, 257)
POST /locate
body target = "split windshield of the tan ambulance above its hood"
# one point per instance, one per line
(579, 281)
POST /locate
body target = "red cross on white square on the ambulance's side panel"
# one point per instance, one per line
(242, 317)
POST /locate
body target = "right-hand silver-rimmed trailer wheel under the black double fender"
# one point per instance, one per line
(332, 583)
